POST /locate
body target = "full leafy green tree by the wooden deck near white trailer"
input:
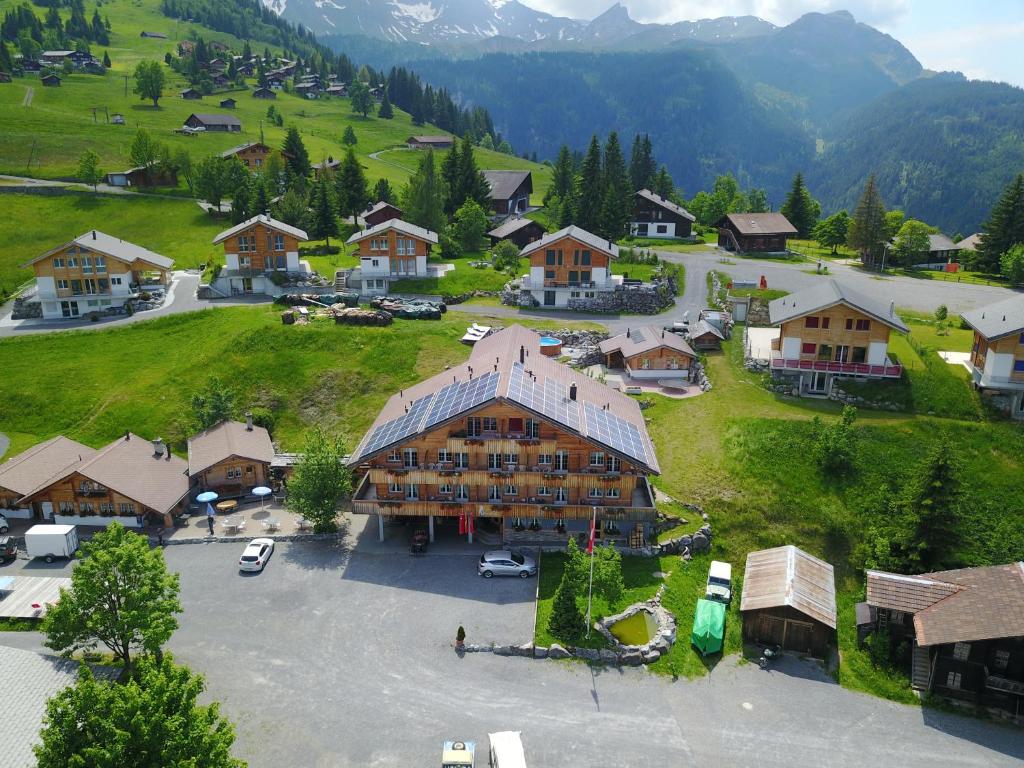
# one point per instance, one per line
(121, 596)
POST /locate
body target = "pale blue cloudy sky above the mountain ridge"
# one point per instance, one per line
(984, 39)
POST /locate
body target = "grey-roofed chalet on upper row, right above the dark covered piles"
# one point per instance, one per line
(392, 250)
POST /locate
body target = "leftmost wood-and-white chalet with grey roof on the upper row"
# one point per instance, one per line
(96, 273)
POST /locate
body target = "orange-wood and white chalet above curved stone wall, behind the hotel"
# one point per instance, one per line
(566, 266)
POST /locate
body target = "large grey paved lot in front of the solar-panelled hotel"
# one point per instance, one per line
(333, 658)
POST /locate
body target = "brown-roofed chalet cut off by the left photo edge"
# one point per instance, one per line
(22, 475)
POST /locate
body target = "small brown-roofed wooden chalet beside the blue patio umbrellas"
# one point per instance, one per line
(232, 458)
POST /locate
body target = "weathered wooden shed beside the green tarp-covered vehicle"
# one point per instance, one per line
(789, 600)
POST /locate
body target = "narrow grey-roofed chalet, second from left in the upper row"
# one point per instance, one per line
(258, 252)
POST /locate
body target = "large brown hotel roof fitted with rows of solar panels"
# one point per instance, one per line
(539, 386)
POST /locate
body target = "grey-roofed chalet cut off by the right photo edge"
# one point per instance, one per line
(997, 361)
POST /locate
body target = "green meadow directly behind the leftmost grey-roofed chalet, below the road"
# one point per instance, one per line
(177, 229)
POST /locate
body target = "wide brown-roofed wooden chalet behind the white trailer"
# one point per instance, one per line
(131, 477)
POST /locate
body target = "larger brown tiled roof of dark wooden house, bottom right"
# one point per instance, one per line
(988, 605)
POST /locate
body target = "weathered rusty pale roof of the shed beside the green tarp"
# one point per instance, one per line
(790, 577)
